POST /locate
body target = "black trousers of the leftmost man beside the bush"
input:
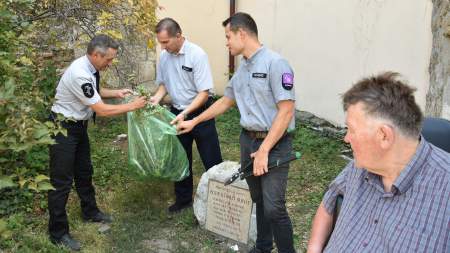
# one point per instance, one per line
(70, 160)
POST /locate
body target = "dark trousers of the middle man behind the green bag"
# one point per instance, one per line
(207, 140)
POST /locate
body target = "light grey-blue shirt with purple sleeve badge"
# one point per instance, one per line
(258, 85)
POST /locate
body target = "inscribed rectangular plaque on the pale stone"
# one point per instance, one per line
(228, 211)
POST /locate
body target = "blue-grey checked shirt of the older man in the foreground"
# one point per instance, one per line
(413, 217)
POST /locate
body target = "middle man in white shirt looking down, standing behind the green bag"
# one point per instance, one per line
(184, 73)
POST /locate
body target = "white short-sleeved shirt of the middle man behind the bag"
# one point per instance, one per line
(184, 75)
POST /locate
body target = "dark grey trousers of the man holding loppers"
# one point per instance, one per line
(269, 193)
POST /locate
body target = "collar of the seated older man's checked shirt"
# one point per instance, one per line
(406, 178)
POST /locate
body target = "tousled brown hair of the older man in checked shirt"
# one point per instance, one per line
(387, 97)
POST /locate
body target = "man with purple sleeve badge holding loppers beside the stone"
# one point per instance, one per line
(262, 88)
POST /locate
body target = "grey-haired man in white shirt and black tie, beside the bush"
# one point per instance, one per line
(79, 98)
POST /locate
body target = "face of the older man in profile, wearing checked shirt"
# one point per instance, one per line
(362, 136)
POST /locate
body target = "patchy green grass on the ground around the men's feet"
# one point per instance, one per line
(139, 207)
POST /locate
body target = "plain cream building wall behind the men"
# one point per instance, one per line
(330, 44)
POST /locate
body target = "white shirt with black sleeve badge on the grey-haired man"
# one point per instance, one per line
(76, 90)
